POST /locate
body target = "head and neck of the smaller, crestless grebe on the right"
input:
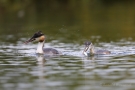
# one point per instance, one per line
(88, 48)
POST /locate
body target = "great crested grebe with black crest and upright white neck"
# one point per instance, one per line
(40, 37)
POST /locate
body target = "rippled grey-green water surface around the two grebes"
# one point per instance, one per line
(22, 70)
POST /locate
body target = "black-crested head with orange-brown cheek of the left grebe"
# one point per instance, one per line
(38, 36)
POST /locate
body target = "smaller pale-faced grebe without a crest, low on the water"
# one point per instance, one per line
(89, 50)
